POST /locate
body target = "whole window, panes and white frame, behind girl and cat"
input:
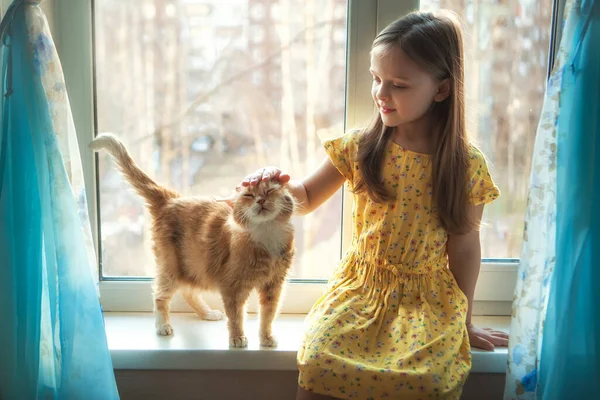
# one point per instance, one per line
(205, 147)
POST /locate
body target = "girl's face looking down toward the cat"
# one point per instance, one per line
(402, 90)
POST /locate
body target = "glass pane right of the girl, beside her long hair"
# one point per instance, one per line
(506, 52)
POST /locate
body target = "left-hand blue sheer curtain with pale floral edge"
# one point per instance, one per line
(52, 339)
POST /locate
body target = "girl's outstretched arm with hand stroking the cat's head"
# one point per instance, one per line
(311, 192)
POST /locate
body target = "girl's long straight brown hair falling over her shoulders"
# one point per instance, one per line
(433, 41)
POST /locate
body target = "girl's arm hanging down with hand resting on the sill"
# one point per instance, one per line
(464, 257)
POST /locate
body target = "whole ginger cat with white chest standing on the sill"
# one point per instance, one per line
(200, 244)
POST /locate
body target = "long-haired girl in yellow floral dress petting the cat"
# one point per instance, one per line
(395, 321)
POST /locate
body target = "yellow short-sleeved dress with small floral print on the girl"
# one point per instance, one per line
(392, 322)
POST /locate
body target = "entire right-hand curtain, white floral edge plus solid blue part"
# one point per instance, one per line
(555, 332)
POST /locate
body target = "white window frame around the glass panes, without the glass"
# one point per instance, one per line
(71, 21)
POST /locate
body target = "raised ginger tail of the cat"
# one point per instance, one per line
(155, 195)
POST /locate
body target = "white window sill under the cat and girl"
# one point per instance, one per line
(203, 345)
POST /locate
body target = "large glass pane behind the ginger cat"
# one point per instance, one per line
(204, 92)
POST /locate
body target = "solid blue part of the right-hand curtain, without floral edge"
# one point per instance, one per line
(570, 359)
